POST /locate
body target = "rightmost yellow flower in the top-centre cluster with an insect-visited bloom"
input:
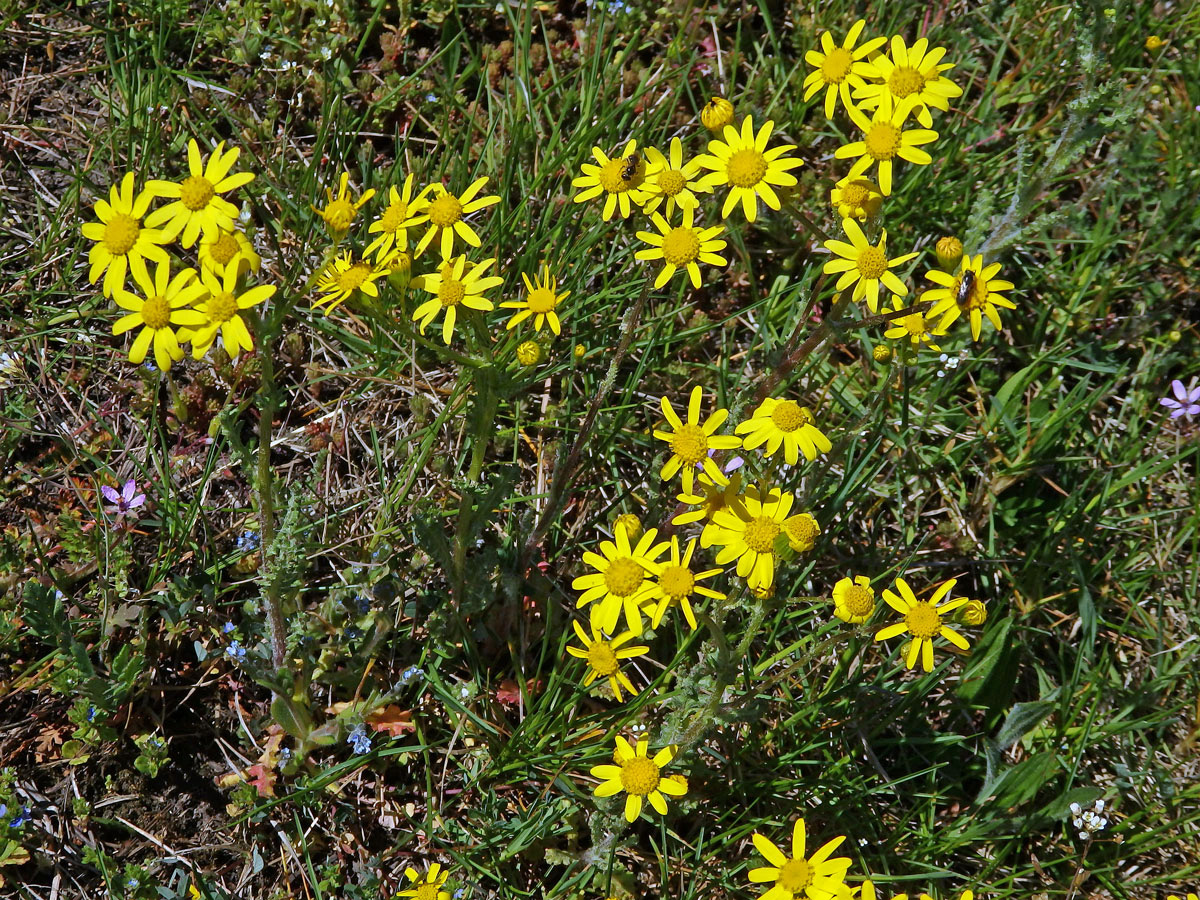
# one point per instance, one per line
(743, 163)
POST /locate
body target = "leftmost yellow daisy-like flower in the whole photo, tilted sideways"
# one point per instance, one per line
(122, 242)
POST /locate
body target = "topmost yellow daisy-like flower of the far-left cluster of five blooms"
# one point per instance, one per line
(199, 205)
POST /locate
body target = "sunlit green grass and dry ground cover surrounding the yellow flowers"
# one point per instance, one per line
(1041, 472)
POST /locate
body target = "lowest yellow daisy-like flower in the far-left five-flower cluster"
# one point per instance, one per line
(160, 310)
